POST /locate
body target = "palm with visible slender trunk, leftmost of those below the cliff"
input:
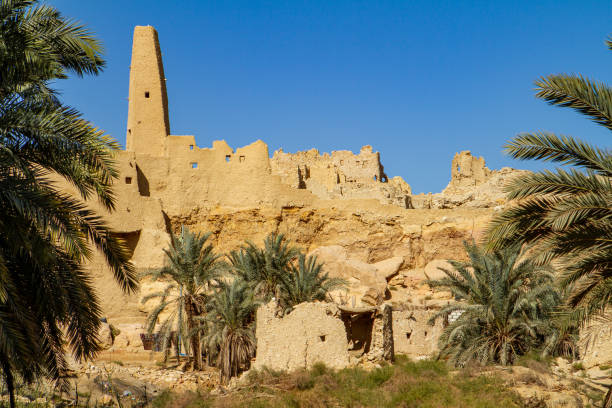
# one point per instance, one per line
(193, 268)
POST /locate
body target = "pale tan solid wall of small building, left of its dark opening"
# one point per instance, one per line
(311, 333)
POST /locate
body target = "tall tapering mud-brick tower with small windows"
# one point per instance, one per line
(148, 123)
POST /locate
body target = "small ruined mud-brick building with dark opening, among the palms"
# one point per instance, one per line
(322, 332)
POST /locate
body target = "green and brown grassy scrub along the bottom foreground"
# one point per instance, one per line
(404, 384)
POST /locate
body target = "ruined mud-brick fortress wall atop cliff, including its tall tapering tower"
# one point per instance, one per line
(182, 175)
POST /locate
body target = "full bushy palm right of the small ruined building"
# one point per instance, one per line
(506, 301)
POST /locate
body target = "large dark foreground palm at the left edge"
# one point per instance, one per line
(46, 298)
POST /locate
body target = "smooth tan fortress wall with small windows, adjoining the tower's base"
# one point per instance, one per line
(223, 177)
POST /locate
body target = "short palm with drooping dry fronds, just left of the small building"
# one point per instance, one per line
(230, 314)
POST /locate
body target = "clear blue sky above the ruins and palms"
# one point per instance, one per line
(418, 80)
